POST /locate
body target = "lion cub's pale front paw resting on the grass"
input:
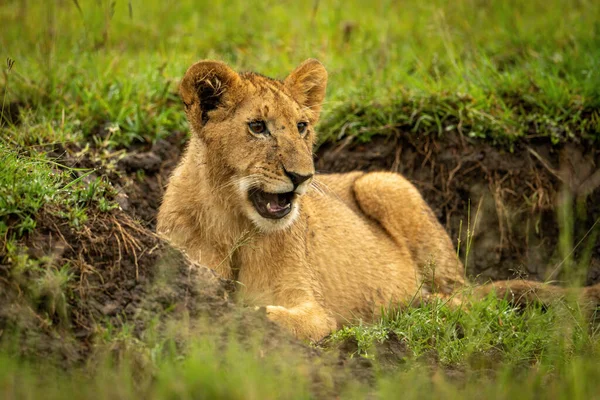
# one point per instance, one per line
(306, 321)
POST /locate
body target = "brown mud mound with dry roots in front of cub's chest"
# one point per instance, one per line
(74, 283)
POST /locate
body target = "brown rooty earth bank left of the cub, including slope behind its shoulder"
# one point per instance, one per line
(65, 288)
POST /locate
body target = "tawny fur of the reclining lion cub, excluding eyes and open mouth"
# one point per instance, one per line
(353, 244)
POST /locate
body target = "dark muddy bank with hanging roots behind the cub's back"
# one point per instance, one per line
(512, 199)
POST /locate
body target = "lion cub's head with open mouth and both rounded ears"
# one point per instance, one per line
(258, 135)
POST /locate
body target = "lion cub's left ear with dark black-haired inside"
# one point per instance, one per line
(204, 88)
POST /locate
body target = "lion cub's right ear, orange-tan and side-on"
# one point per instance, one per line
(307, 84)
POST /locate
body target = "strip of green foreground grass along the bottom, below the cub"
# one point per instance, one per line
(489, 349)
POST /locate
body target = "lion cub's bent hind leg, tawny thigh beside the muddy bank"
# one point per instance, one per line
(398, 206)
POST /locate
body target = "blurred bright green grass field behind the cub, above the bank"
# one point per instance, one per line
(495, 65)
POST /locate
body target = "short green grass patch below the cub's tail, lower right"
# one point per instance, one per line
(491, 327)
